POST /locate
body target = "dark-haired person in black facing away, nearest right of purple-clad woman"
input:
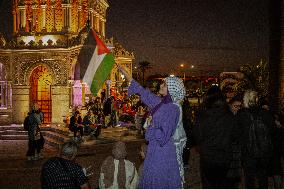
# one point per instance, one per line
(213, 133)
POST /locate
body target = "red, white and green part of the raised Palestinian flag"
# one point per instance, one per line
(99, 67)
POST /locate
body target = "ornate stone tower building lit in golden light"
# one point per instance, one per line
(37, 65)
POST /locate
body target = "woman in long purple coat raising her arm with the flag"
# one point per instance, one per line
(161, 167)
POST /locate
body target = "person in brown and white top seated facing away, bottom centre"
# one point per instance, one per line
(118, 172)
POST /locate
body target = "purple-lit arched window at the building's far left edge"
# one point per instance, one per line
(3, 88)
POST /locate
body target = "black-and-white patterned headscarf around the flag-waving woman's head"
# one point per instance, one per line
(175, 88)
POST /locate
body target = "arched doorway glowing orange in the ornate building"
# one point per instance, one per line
(40, 93)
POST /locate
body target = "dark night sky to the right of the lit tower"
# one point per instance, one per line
(212, 35)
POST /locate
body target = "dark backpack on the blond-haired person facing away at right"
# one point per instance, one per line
(259, 141)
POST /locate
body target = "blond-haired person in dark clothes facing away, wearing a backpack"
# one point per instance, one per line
(255, 127)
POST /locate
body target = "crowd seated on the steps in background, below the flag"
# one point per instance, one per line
(114, 111)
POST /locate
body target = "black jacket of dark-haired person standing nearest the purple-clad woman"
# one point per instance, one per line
(214, 133)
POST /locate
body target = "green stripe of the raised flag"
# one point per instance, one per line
(102, 73)
